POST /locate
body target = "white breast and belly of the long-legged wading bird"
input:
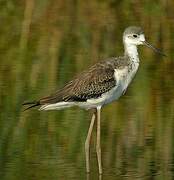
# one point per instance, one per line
(123, 78)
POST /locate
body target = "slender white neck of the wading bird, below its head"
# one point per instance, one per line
(131, 51)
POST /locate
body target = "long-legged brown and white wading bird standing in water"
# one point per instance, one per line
(102, 83)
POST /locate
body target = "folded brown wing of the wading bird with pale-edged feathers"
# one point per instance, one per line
(89, 84)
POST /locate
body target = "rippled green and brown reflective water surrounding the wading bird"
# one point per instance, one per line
(43, 44)
